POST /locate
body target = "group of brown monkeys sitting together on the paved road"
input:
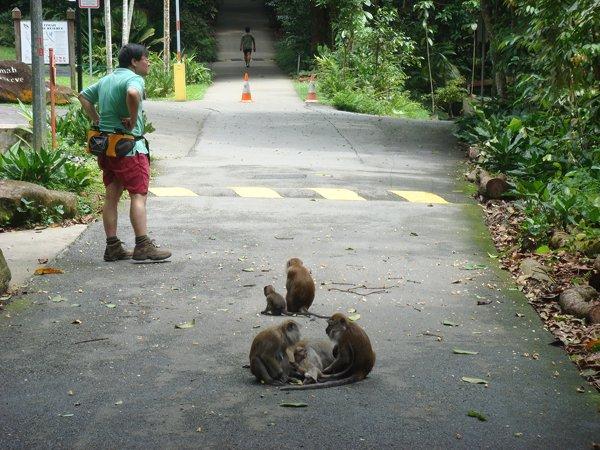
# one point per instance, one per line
(278, 354)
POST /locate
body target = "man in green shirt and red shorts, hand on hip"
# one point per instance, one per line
(119, 97)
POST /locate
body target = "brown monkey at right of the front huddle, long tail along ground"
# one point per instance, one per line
(354, 356)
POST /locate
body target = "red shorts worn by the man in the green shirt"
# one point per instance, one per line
(132, 171)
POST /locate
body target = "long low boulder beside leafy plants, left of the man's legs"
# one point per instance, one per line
(11, 193)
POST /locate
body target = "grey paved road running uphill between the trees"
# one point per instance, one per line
(147, 384)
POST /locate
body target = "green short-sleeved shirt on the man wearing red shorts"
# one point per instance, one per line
(110, 94)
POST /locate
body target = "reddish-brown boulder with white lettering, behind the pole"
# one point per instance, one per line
(15, 84)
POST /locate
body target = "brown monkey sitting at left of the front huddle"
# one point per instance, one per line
(271, 353)
